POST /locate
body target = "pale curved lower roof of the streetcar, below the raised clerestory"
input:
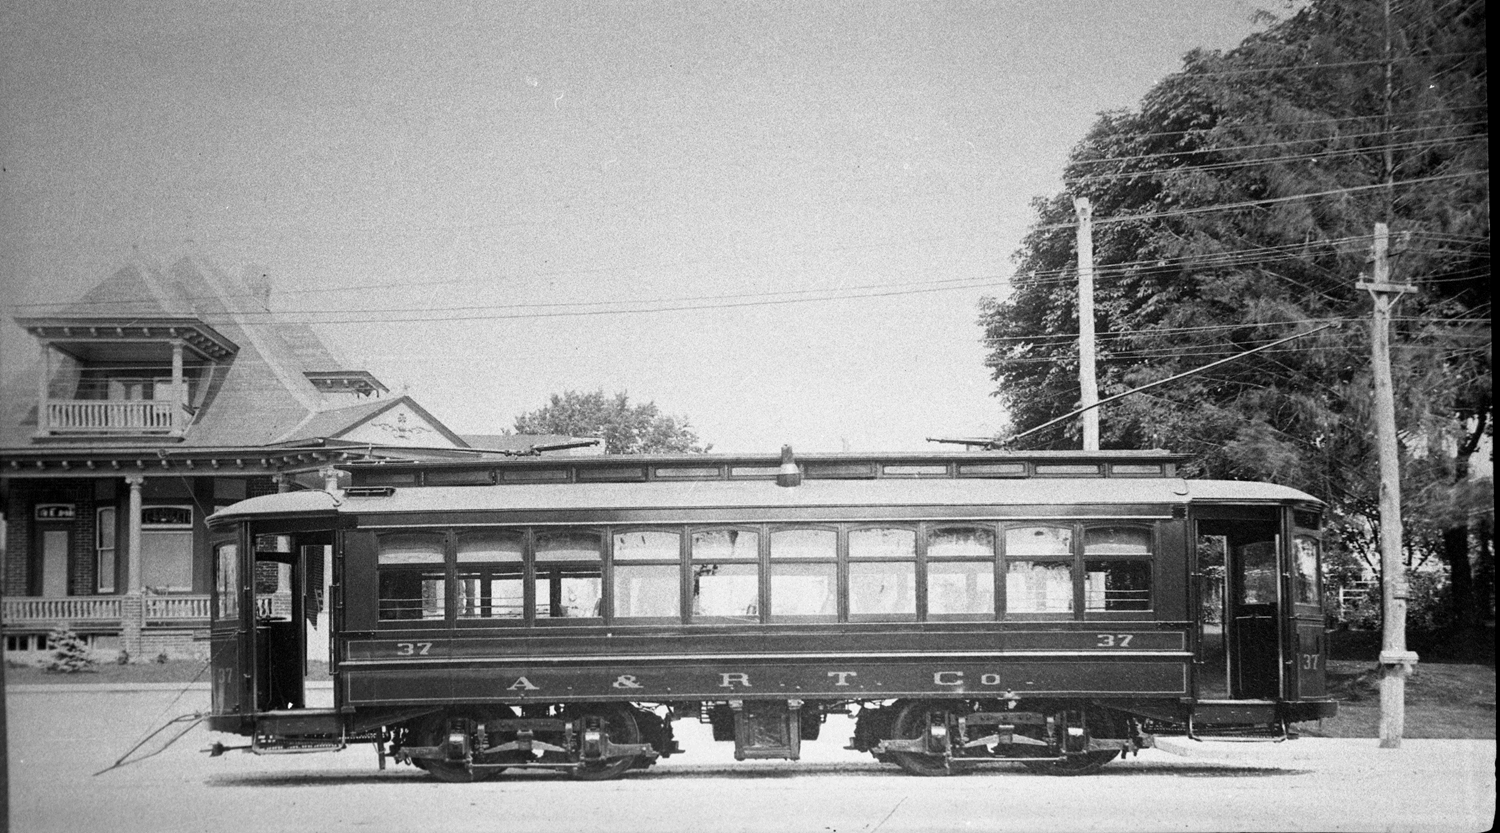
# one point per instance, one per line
(763, 495)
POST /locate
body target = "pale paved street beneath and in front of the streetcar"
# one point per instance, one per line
(59, 739)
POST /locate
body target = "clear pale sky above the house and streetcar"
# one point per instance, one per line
(775, 220)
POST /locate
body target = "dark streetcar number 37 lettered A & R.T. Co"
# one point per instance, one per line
(1049, 609)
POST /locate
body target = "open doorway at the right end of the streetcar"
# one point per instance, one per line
(1240, 603)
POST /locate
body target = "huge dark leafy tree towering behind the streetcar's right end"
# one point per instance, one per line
(1208, 244)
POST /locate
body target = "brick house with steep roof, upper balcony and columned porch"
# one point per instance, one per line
(157, 398)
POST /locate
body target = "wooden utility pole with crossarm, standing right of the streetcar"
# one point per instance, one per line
(1396, 660)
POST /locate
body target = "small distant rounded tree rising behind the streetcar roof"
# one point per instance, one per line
(628, 430)
